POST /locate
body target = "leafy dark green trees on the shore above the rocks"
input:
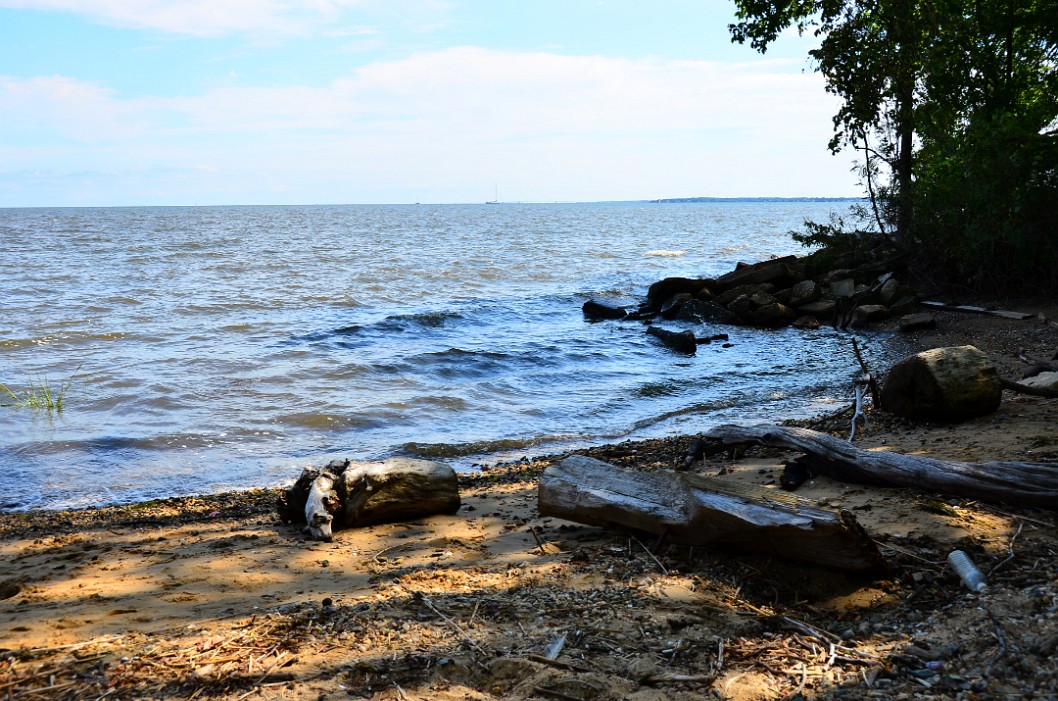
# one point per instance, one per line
(954, 107)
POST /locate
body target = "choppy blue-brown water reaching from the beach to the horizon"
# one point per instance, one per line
(215, 348)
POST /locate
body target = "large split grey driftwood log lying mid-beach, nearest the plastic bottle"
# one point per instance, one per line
(700, 511)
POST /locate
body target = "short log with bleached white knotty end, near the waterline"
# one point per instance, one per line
(349, 494)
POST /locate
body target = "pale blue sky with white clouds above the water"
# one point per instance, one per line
(108, 103)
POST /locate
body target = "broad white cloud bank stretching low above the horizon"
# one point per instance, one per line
(448, 124)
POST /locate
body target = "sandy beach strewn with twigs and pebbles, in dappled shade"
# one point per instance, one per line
(215, 598)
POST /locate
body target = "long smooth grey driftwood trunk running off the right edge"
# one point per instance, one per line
(1025, 484)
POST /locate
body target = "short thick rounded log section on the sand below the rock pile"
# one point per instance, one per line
(943, 385)
